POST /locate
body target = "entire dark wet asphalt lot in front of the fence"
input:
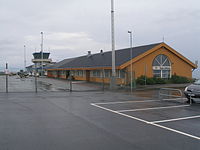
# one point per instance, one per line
(96, 120)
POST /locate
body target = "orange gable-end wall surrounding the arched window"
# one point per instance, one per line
(179, 67)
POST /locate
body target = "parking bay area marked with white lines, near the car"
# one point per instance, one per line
(168, 115)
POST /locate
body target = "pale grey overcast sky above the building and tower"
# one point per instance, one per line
(72, 27)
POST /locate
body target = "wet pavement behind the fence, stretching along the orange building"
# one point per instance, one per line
(16, 84)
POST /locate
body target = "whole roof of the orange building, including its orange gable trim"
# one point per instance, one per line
(122, 58)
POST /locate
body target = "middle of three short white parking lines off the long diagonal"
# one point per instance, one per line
(152, 108)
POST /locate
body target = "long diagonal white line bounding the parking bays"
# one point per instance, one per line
(147, 122)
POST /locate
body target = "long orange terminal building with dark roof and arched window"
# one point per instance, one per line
(154, 60)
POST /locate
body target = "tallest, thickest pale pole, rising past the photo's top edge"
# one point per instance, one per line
(113, 78)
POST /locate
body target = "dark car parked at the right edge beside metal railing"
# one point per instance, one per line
(193, 91)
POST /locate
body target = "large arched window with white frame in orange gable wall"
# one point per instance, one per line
(161, 67)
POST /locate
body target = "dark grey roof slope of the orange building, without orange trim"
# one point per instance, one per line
(103, 59)
